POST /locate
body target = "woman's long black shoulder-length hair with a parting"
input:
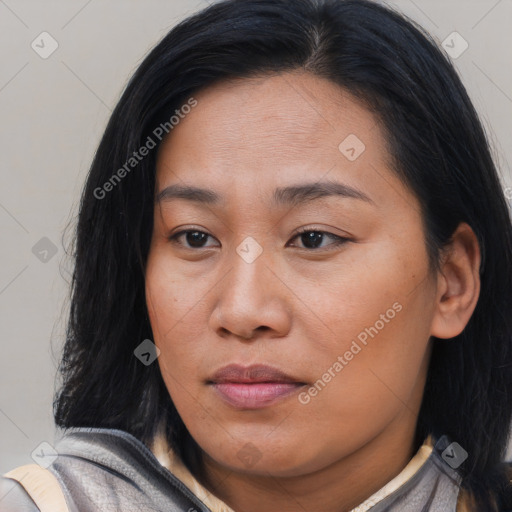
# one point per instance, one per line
(438, 148)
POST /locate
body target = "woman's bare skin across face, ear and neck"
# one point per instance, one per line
(295, 306)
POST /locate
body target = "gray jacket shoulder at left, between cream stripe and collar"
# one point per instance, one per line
(118, 471)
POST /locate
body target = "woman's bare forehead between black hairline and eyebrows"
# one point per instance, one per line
(285, 127)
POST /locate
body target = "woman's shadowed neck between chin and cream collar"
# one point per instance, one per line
(337, 488)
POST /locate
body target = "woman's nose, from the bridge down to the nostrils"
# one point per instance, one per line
(252, 298)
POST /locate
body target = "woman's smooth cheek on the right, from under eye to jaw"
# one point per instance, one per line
(378, 313)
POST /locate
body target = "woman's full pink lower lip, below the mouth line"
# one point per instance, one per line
(257, 395)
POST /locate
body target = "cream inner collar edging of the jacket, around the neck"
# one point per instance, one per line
(170, 460)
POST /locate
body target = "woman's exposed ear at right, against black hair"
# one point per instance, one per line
(458, 283)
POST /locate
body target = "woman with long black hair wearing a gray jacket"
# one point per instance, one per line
(293, 279)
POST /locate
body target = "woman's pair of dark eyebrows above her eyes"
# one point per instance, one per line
(291, 195)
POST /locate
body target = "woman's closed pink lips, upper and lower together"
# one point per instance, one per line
(253, 387)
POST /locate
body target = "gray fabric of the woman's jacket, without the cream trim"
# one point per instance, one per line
(110, 470)
